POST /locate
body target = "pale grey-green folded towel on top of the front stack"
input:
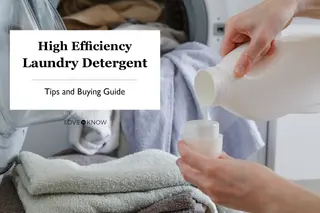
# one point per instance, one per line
(129, 184)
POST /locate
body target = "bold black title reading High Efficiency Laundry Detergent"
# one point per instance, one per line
(84, 62)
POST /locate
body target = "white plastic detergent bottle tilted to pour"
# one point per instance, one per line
(286, 82)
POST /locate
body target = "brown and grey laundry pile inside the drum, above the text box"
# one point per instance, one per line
(121, 14)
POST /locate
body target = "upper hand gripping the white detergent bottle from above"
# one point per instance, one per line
(259, 26)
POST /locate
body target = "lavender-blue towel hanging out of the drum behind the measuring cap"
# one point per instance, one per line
(162, 129)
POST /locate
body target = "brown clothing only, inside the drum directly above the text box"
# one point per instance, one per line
(106, 14)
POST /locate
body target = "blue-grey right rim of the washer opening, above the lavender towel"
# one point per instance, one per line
(198, 20)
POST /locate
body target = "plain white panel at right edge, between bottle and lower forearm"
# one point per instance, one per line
(297, 147)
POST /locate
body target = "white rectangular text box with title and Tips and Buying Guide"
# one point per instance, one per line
(85, 70)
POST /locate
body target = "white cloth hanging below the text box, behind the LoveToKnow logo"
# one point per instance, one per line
(99, 132)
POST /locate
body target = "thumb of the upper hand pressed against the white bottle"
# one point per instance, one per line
(251, 55)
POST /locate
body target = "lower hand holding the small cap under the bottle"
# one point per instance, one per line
(233, 183)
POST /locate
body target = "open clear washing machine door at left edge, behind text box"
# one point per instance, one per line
(21, 17)
